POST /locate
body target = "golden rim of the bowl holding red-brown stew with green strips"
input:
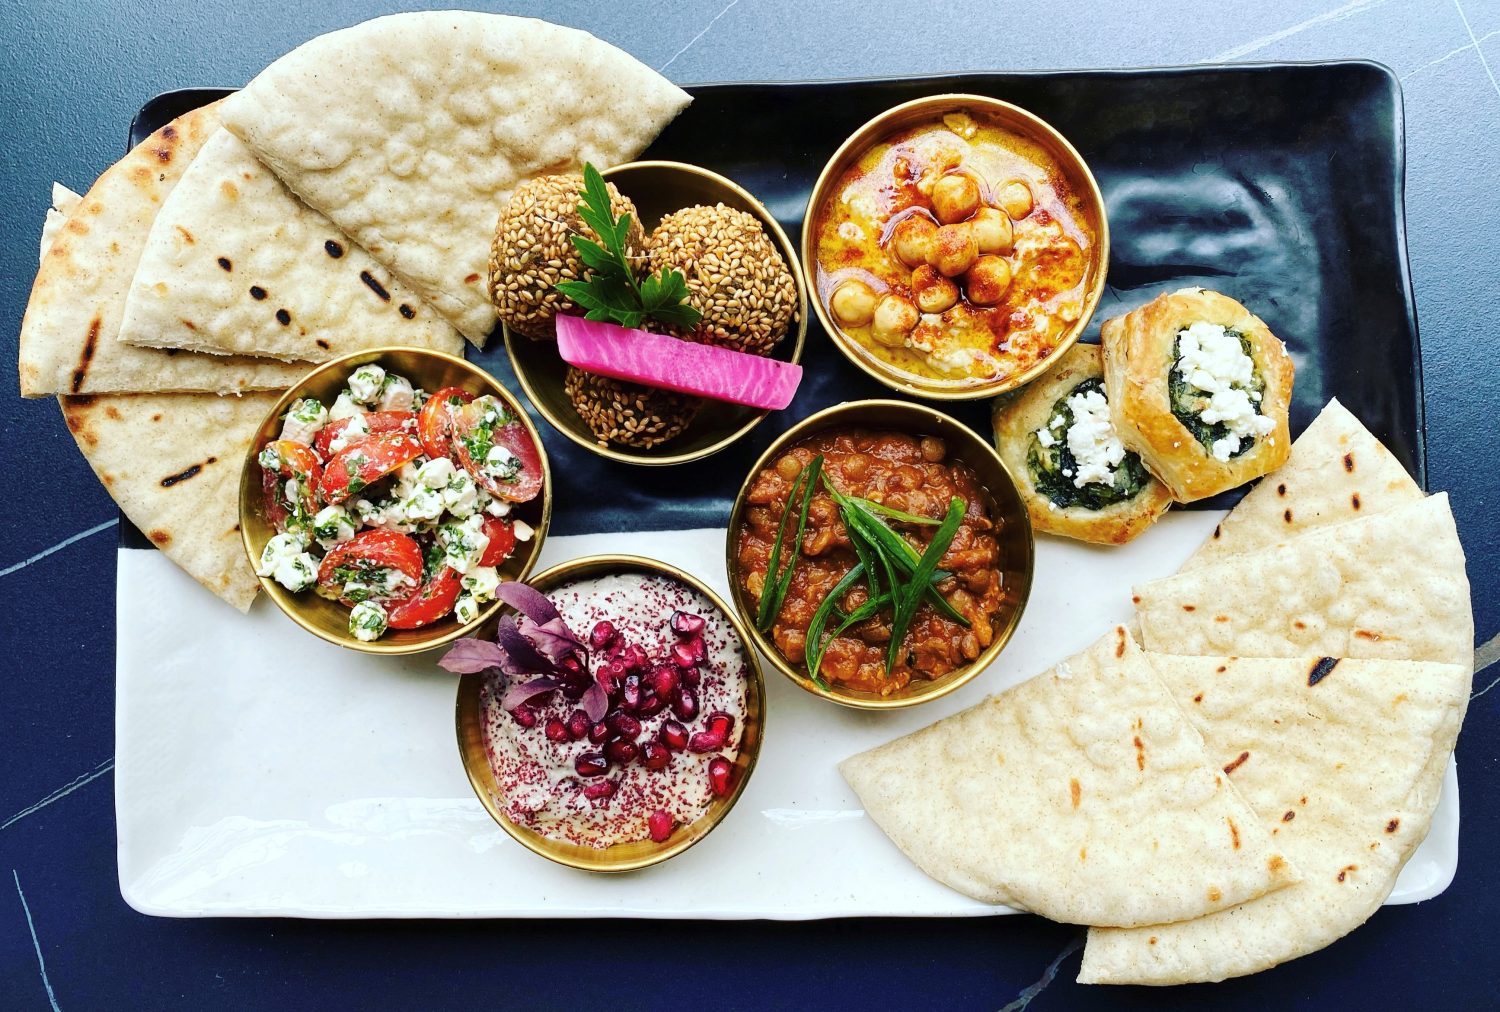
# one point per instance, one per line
(827, 419)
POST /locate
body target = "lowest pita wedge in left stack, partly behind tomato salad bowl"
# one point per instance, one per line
(173, 464)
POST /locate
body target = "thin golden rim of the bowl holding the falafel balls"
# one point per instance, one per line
(662, 461)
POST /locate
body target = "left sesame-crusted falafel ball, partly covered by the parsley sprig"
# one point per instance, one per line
(532, 251)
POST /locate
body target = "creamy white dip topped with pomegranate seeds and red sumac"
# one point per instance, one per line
(676, 675)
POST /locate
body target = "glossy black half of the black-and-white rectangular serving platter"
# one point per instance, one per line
(1280, 185)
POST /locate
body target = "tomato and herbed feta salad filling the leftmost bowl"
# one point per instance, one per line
(395, 502)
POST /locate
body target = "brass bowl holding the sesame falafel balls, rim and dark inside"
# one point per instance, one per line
(659, 190)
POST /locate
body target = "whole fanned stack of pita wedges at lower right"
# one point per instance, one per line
(1246, 789)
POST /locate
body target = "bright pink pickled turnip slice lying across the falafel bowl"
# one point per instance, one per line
(658, 361)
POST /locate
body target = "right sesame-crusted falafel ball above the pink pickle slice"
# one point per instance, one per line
(736, 277)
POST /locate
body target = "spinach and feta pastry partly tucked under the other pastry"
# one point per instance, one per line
(1070, 466)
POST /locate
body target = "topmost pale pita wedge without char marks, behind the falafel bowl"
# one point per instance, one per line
(412, 131)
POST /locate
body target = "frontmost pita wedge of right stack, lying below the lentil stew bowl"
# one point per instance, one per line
(1082, 795)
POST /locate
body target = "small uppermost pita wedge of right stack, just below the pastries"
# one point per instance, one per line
(1339, 472)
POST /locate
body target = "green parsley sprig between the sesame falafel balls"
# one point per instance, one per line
(613, 293)
